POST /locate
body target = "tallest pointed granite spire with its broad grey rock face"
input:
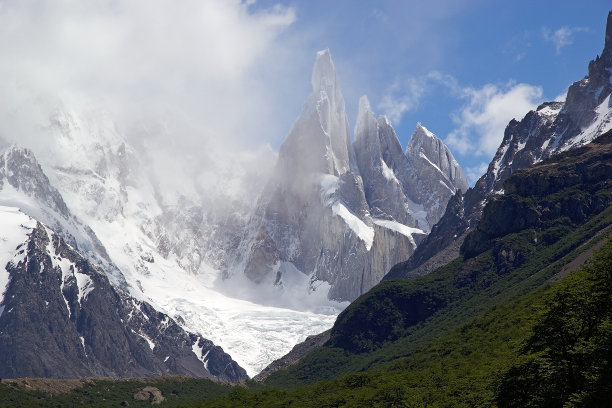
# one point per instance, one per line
(313, 215)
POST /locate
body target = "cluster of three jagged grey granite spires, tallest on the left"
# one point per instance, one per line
(341, 213)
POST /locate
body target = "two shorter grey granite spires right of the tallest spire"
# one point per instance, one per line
(412, 189)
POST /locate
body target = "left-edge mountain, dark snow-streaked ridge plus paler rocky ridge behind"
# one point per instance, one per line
(60, 315)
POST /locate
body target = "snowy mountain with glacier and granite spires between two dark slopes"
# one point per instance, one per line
(222, 237)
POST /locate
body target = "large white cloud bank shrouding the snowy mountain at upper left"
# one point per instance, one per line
(189, 83)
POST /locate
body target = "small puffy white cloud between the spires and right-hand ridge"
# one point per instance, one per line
(482, 120)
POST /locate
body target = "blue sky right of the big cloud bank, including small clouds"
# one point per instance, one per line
(462, 68)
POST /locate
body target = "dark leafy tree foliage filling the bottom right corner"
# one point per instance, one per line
(568, 358)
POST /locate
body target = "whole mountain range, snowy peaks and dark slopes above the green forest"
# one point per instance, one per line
(112, 270)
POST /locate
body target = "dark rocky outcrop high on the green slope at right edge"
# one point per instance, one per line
(579, 180)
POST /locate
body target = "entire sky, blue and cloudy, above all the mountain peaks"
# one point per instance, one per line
(236, 73)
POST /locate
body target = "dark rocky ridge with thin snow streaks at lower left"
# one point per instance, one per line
(62, 318)
